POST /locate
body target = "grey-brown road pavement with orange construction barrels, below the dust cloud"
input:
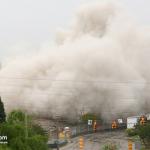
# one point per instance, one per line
(97, 141)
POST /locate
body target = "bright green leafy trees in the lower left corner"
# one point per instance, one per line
(15, 128)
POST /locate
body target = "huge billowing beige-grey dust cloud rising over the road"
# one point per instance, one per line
(101, 64)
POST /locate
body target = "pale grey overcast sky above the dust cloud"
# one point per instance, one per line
(26, 24)
